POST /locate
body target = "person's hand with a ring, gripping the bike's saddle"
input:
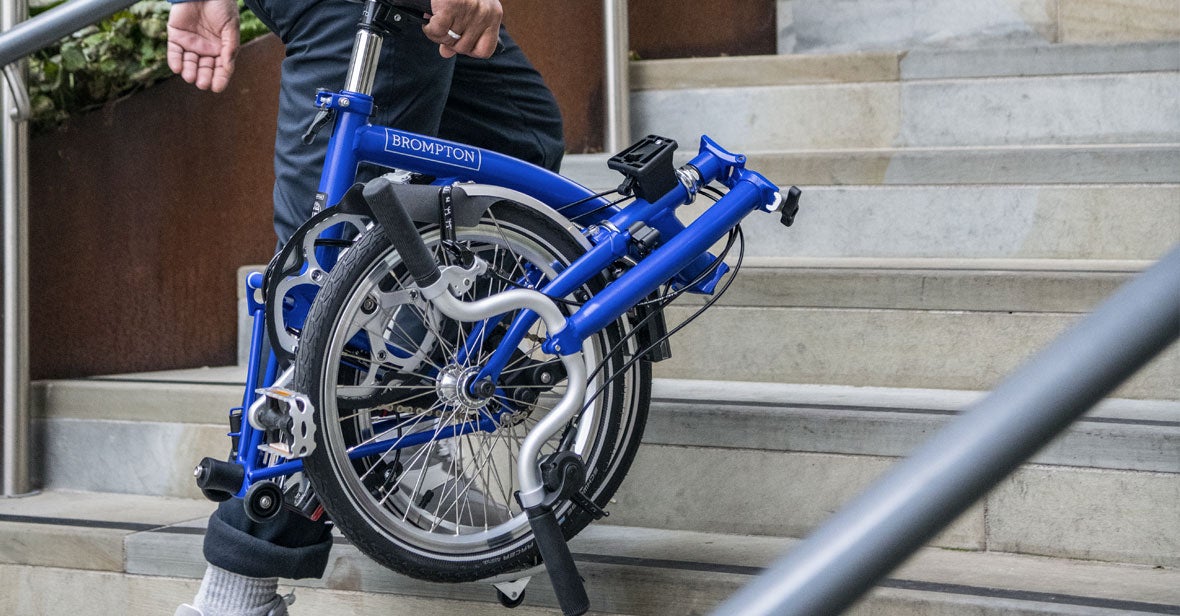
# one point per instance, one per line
(471, 28)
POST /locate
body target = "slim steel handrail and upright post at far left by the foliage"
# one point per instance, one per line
(18, 40)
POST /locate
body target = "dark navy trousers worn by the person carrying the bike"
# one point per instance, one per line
(500, 104)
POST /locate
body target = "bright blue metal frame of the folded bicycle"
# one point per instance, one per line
(681, 253)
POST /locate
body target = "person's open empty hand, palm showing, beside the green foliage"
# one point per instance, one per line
(202, 42)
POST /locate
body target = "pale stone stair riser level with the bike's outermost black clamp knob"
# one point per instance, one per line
(982, 222)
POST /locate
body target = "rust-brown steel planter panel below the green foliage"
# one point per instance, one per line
(140, 215)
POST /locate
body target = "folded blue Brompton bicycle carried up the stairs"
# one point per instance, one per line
(454, 363)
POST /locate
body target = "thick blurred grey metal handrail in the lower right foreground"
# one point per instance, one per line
(922, 495)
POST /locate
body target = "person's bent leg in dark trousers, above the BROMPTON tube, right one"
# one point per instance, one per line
(503, 104)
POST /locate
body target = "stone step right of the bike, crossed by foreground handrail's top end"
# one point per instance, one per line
(925, 324)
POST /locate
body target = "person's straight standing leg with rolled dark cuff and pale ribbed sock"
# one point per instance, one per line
(247, 558)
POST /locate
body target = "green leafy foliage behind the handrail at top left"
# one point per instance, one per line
(124, 54)
